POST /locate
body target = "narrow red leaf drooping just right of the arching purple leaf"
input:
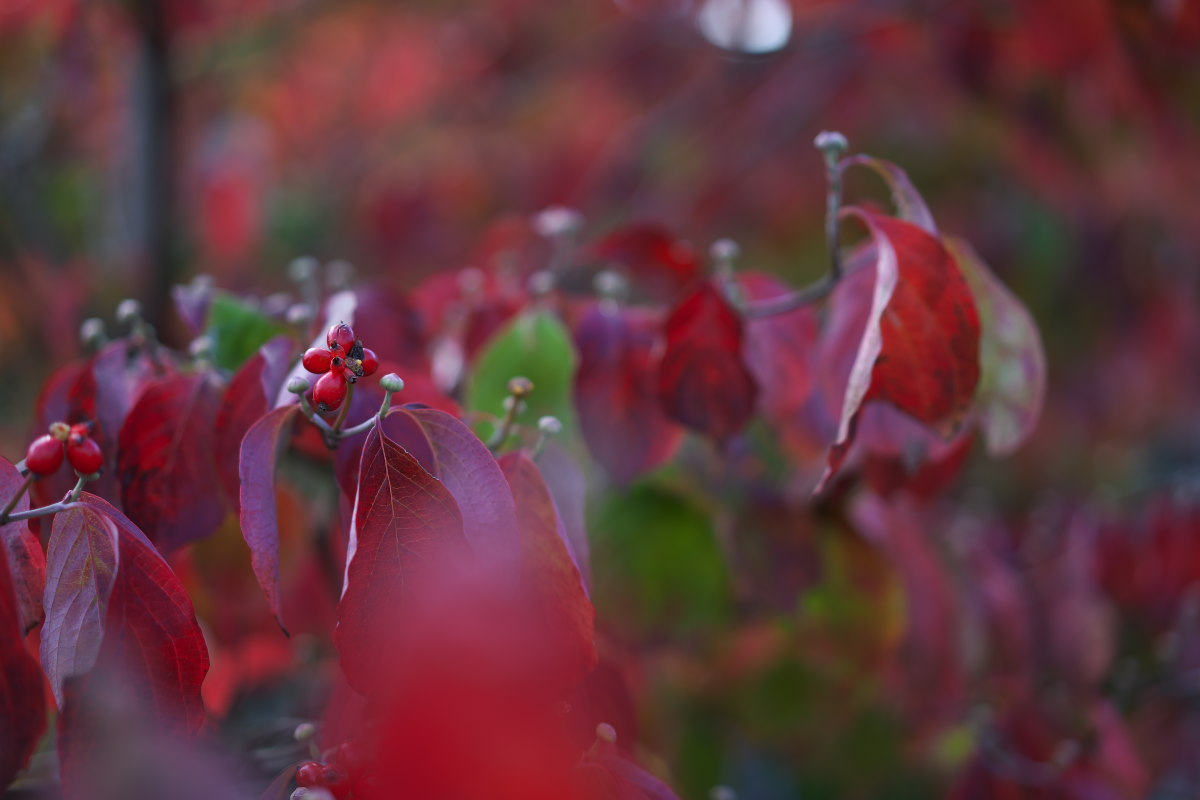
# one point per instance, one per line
(550, 574)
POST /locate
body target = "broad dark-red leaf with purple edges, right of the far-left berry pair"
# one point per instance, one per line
(166, 461)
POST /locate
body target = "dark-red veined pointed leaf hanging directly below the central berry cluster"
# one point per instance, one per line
(405, 522)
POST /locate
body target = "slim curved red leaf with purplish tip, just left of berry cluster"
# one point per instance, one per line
(250, 395)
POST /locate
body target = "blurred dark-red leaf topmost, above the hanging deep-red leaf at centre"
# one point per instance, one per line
(658, 262)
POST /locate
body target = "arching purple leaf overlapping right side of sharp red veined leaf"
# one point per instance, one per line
(467, 468)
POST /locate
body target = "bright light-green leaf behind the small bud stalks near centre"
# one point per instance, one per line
(536, 345)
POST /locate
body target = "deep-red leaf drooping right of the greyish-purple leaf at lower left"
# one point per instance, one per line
(152, 636)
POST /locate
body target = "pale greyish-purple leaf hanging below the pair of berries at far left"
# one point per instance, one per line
(82, 569)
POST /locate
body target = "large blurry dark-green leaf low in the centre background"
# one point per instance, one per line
(658, 569)
